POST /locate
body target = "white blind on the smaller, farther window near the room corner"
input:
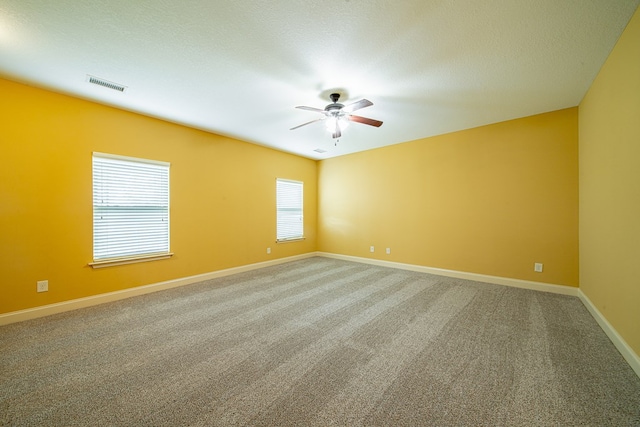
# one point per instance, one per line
(289, 210)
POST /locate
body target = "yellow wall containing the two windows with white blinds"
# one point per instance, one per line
(222, 197)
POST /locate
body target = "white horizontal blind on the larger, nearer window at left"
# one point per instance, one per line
(130, 207)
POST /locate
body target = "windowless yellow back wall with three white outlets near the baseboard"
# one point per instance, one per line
(491, 200)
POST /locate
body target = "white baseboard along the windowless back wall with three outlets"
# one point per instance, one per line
(517, 283)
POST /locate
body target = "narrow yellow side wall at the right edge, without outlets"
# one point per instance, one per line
(610, 188)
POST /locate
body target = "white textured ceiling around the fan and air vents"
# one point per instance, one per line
(239, 68)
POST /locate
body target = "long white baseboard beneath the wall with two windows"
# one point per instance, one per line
(46, 310)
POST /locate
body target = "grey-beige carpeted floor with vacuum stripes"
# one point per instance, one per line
(319, 342)
